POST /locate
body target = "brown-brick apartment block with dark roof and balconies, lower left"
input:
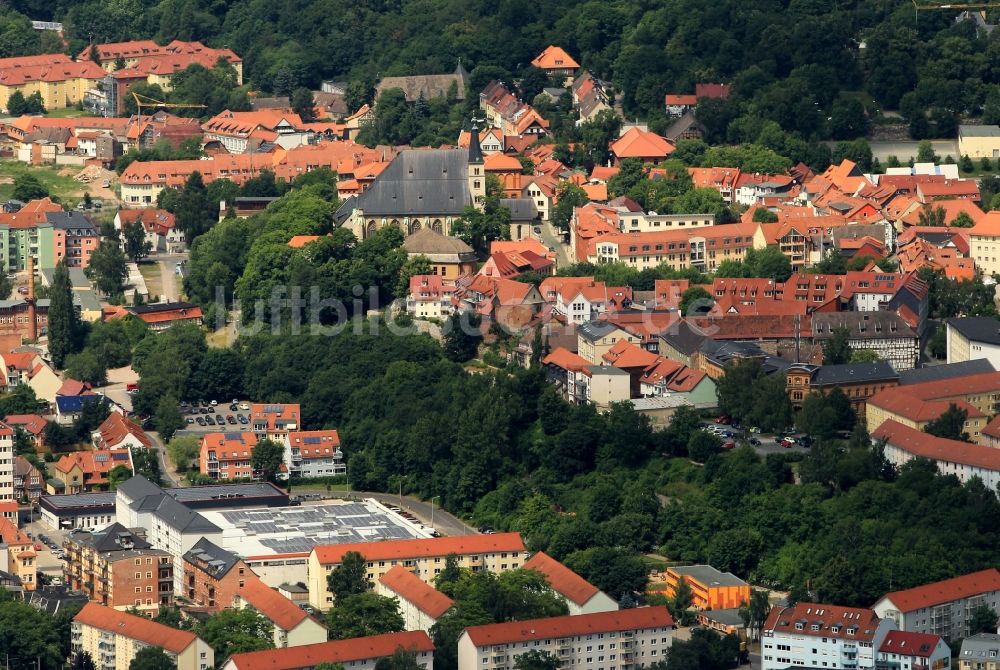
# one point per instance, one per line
(118, 568)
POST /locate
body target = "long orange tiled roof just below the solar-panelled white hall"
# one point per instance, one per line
(440, 546)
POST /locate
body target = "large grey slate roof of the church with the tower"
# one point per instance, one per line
(418, 183)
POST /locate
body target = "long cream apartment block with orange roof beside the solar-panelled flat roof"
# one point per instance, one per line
(425, 558)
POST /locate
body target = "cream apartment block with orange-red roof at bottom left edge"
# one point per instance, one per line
(113, 638)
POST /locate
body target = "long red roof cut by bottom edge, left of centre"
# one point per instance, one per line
(339, 651)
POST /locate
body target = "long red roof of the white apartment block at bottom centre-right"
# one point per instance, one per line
(638, 618)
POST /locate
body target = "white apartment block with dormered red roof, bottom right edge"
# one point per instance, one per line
(808, 635)
